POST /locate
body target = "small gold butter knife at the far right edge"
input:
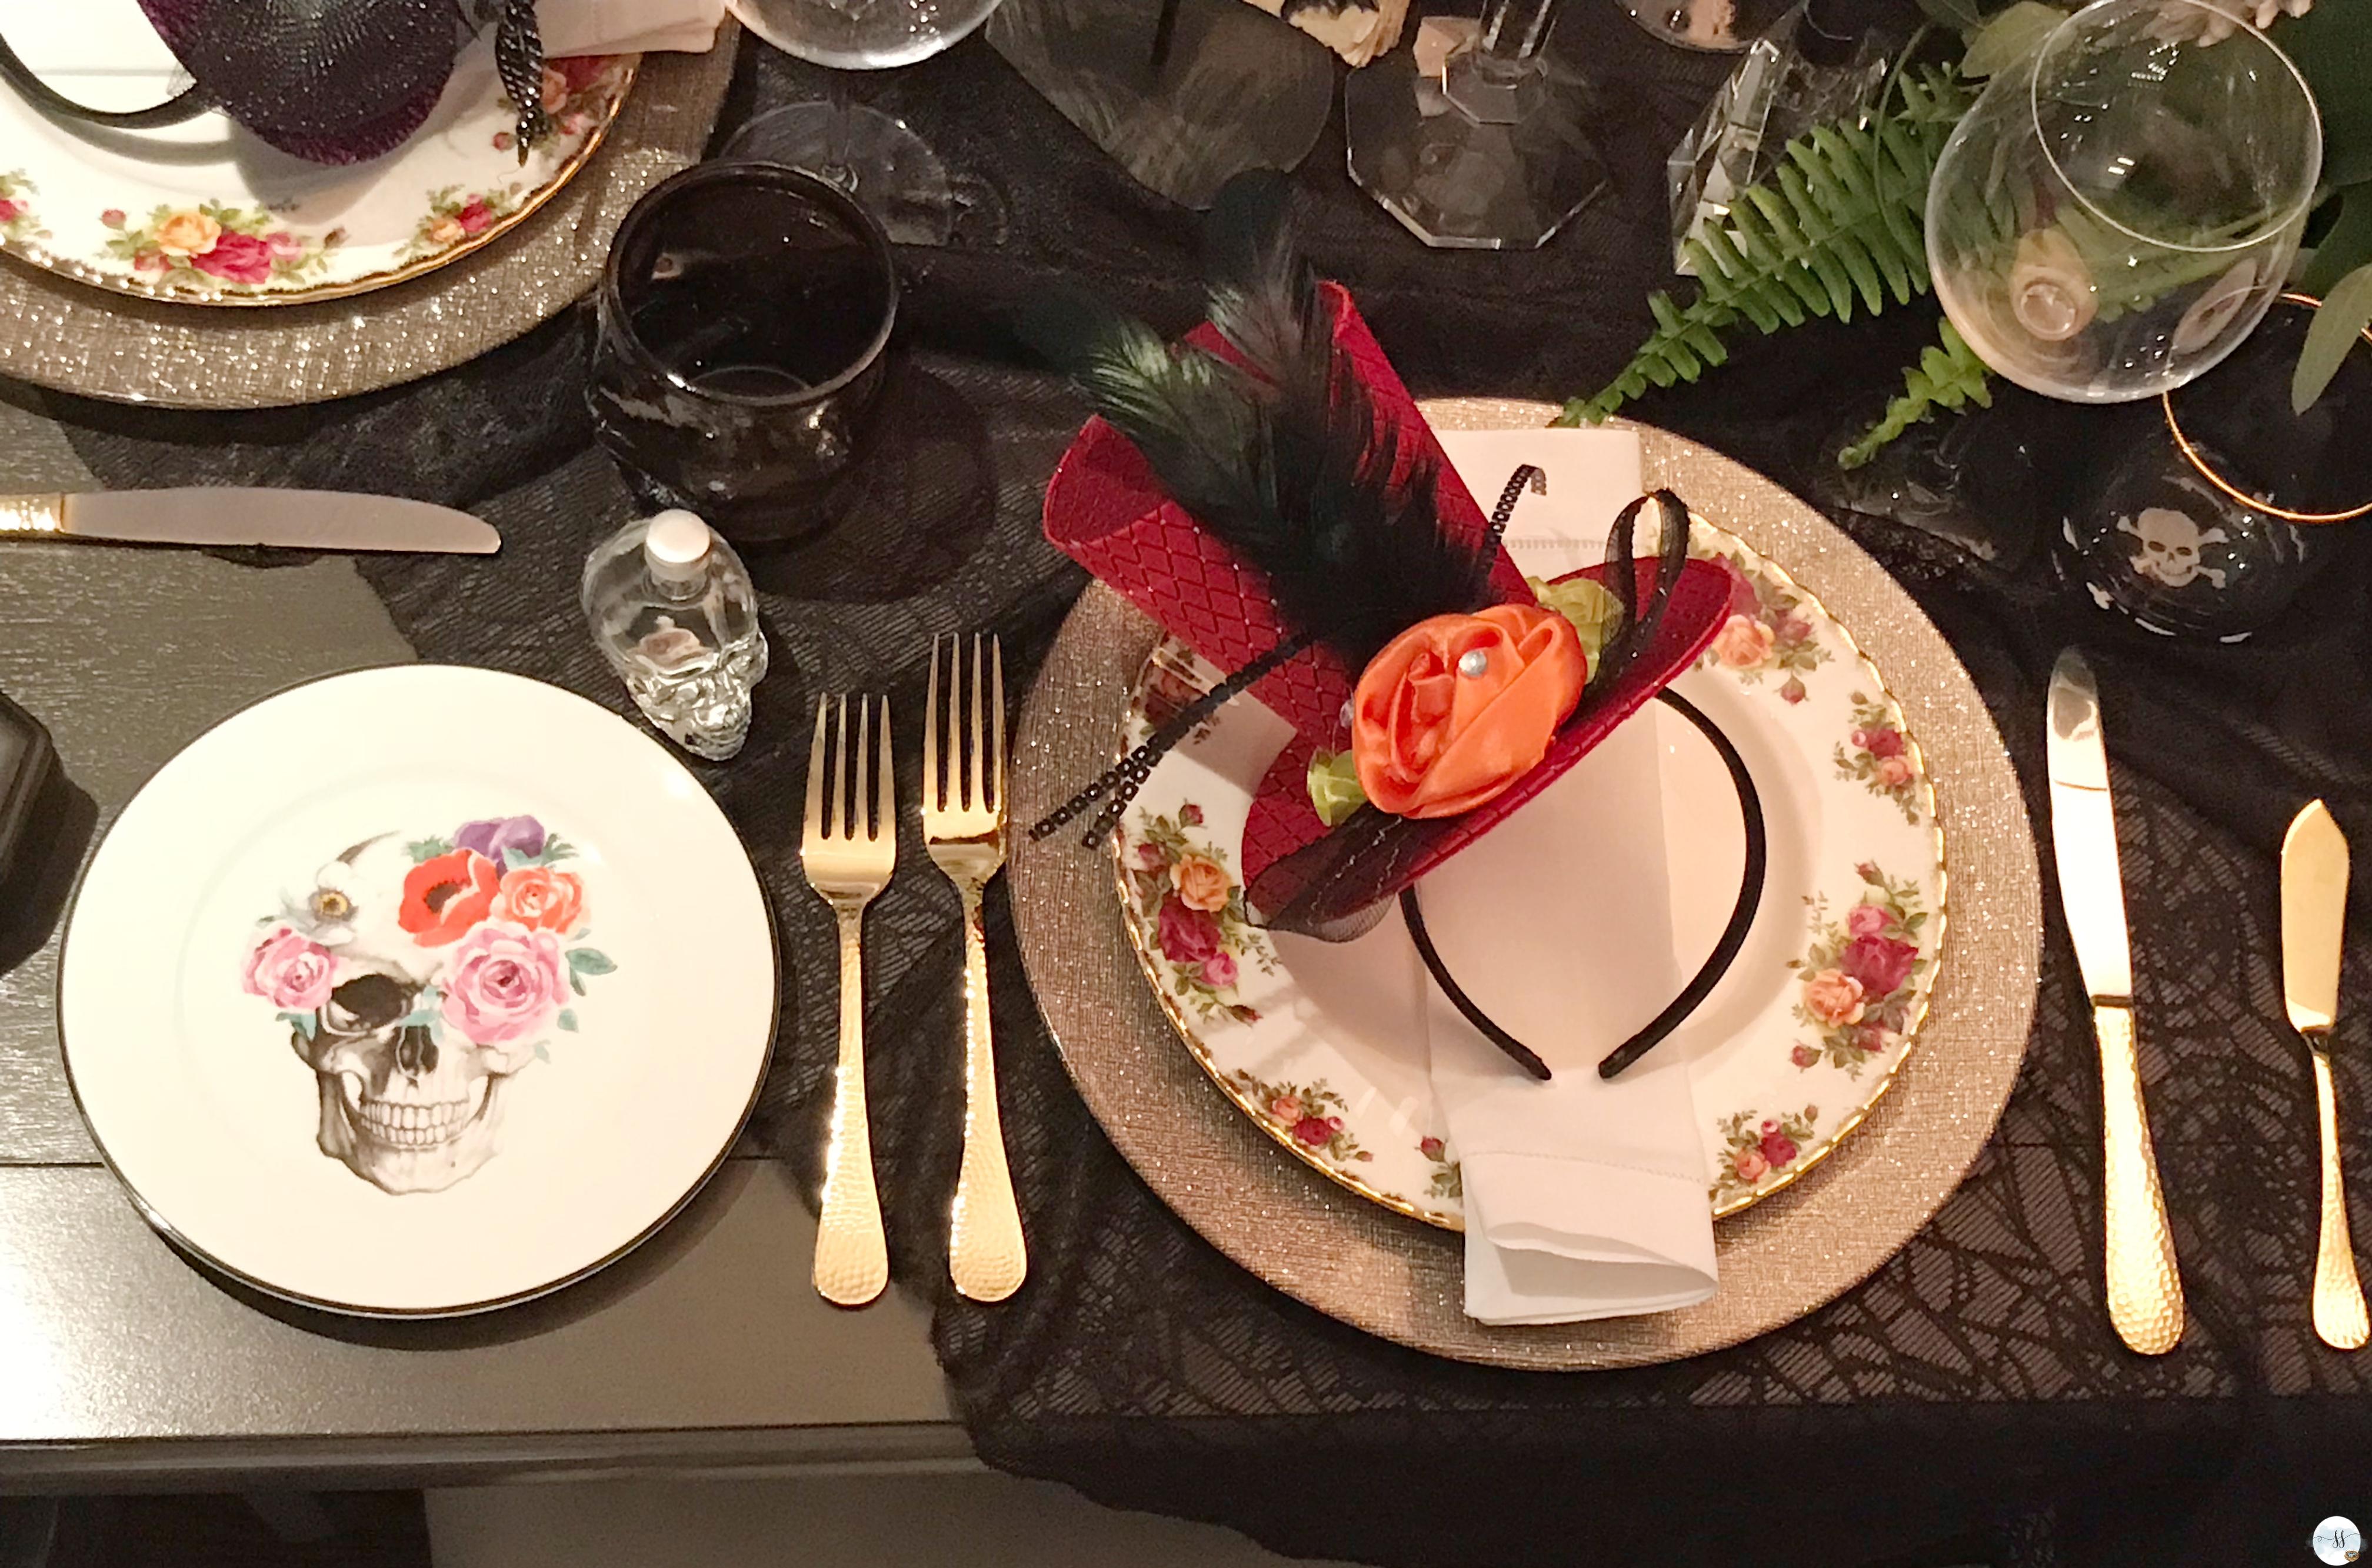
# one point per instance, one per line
(2314, 919)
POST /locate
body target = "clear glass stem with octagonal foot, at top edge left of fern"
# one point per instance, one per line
(1491, 153)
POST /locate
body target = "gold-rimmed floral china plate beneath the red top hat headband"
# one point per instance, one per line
(1318, 1045)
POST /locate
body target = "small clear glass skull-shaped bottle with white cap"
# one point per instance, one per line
(677, 618)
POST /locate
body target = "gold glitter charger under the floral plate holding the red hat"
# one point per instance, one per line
(1405, 1280)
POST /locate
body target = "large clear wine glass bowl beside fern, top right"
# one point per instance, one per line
(2117, 212)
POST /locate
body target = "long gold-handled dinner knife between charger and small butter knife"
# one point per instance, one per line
(2145, 1292)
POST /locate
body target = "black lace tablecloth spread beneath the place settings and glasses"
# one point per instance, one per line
(1968, 1403)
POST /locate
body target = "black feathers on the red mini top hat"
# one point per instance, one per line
(1280, 459)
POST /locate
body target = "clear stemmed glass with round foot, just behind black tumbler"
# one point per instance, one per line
(876, 158)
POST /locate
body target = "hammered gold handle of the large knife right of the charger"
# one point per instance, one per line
(2145, 1292)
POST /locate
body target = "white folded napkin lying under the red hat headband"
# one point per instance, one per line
(1583, 1199)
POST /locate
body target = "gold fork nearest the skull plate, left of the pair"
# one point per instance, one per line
(850, 860)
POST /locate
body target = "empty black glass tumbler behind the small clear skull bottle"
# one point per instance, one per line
(744, 338)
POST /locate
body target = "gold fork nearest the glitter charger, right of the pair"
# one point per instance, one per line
(964, 824)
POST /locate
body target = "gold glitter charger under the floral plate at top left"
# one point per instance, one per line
(96, 343)
